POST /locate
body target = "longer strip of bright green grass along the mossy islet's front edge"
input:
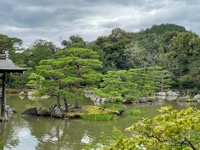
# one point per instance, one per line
(99, 117)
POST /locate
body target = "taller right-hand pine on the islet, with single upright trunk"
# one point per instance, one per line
(83, 64)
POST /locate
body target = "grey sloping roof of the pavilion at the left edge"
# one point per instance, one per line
(6, 65)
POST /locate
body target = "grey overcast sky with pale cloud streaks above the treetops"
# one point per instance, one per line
(57, 20)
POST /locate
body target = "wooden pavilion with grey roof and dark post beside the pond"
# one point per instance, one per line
(6, 66)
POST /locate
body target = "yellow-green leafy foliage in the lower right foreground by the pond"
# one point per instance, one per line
(171, 129)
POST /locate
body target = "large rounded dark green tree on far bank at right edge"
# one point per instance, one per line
(184, 59)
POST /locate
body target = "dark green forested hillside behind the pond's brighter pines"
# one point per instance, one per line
(169, 46)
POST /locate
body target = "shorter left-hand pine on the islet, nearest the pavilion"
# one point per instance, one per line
(56, 79)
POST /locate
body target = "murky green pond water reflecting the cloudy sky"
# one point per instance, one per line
(42, 133)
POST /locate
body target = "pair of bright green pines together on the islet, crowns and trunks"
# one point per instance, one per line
(66, 75)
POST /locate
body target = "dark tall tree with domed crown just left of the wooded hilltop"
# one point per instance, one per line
(113, 46)
